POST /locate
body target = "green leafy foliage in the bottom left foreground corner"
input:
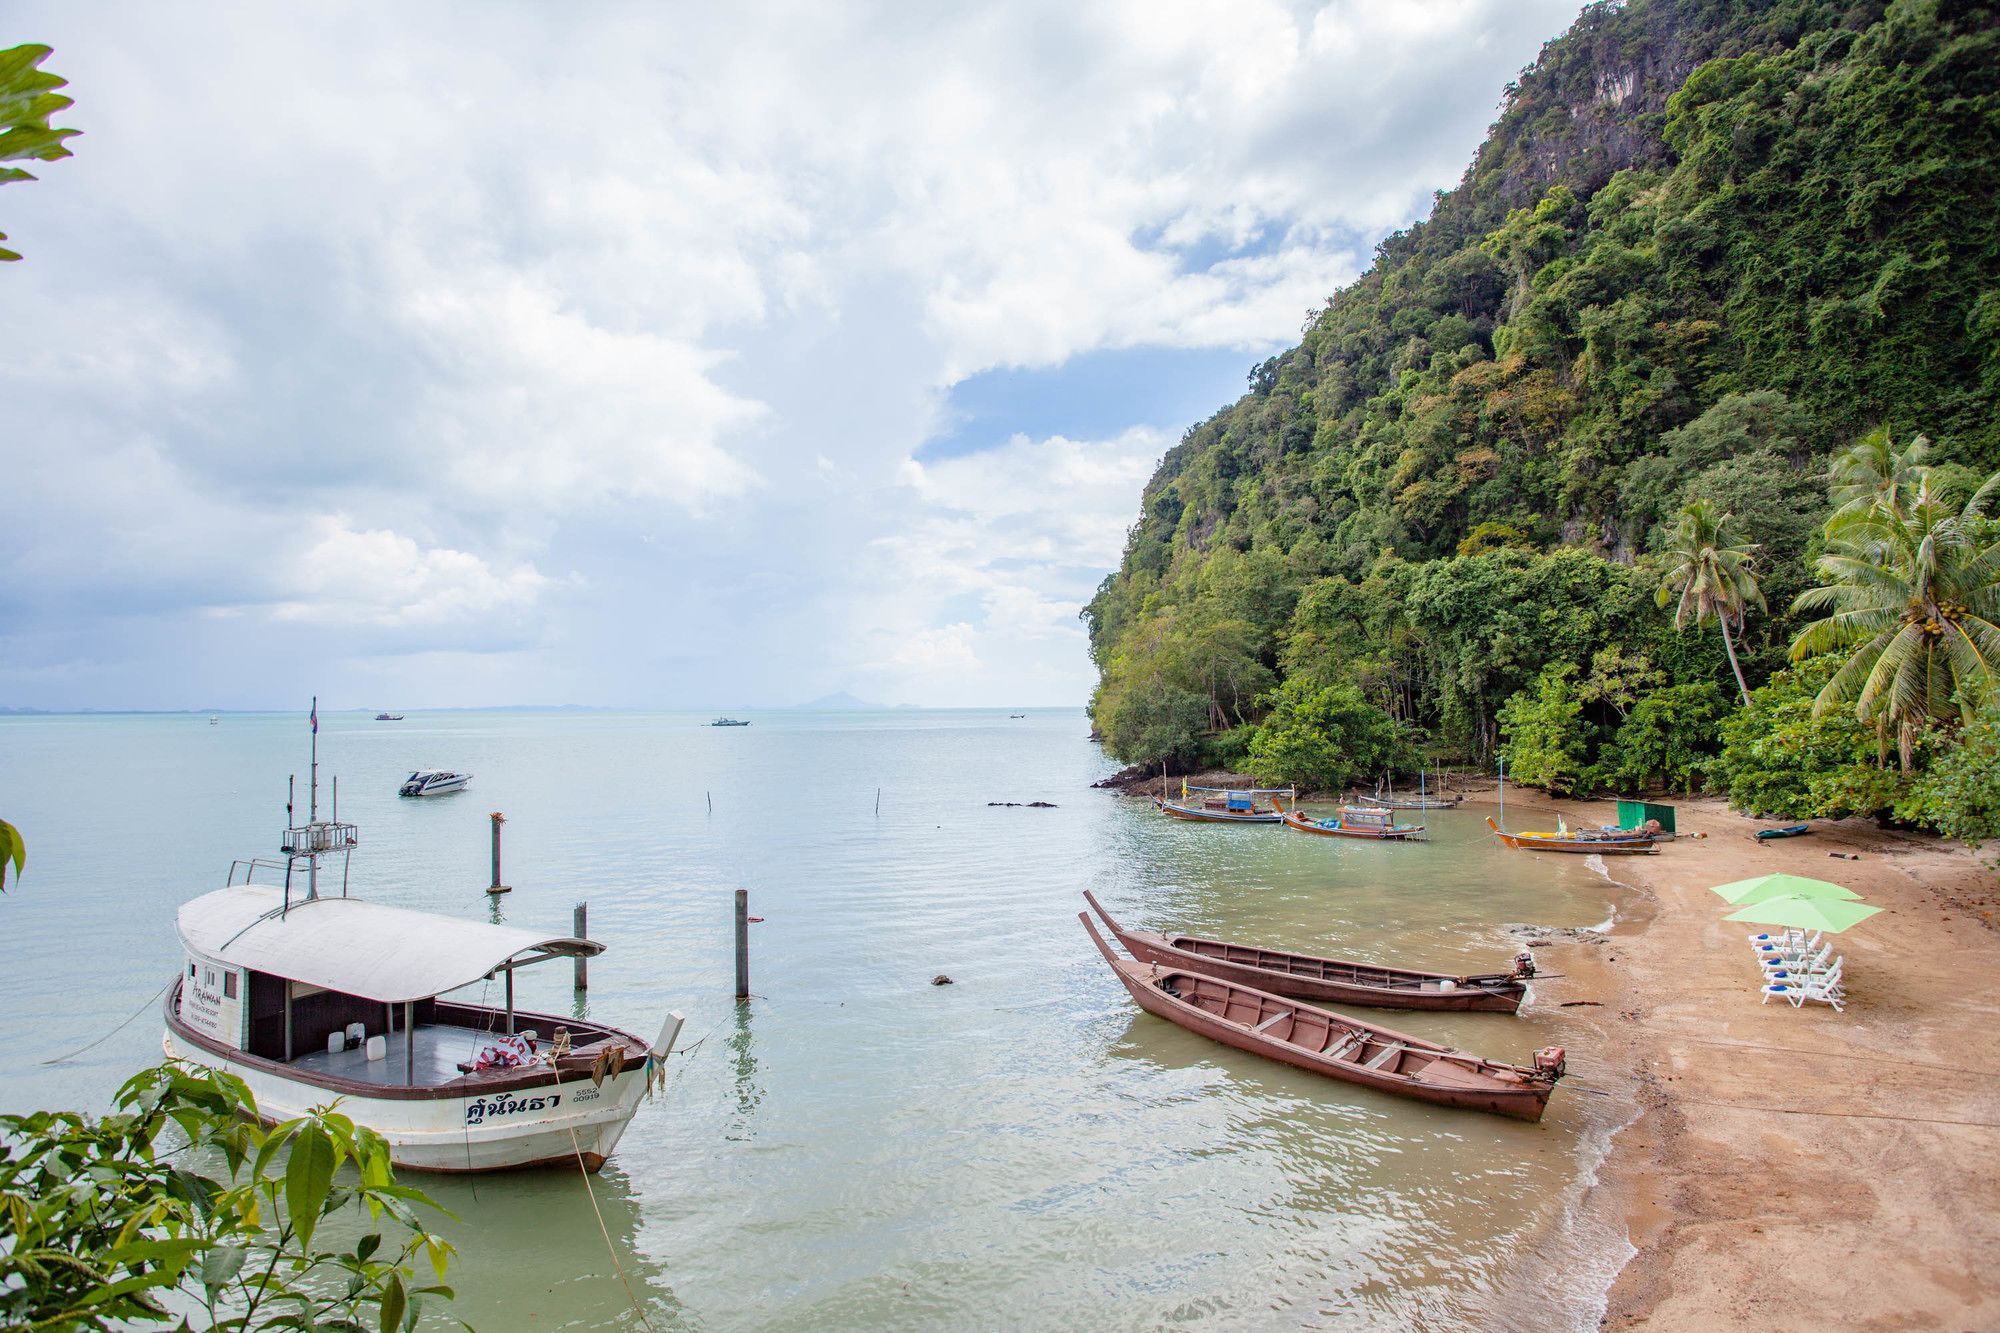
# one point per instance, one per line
(181, 1206)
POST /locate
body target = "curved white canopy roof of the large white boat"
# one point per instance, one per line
(381, 954)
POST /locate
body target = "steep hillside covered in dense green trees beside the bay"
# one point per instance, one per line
(1555, 473)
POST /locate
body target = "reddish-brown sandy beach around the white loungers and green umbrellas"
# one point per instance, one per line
(1843, 1164)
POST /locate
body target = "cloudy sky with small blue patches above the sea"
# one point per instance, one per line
(661, 353)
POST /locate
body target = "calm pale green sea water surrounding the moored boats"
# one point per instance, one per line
(857, 1148)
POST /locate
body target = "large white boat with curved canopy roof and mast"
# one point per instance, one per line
(315, 1000)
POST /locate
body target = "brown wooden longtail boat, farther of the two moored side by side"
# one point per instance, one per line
(1329, 982)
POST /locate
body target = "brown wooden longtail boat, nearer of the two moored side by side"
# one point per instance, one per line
(1333, 1044)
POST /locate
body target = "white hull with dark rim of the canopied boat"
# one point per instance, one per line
(535, 1120)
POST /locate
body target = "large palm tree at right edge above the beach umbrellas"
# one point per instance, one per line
(1915, 591)
